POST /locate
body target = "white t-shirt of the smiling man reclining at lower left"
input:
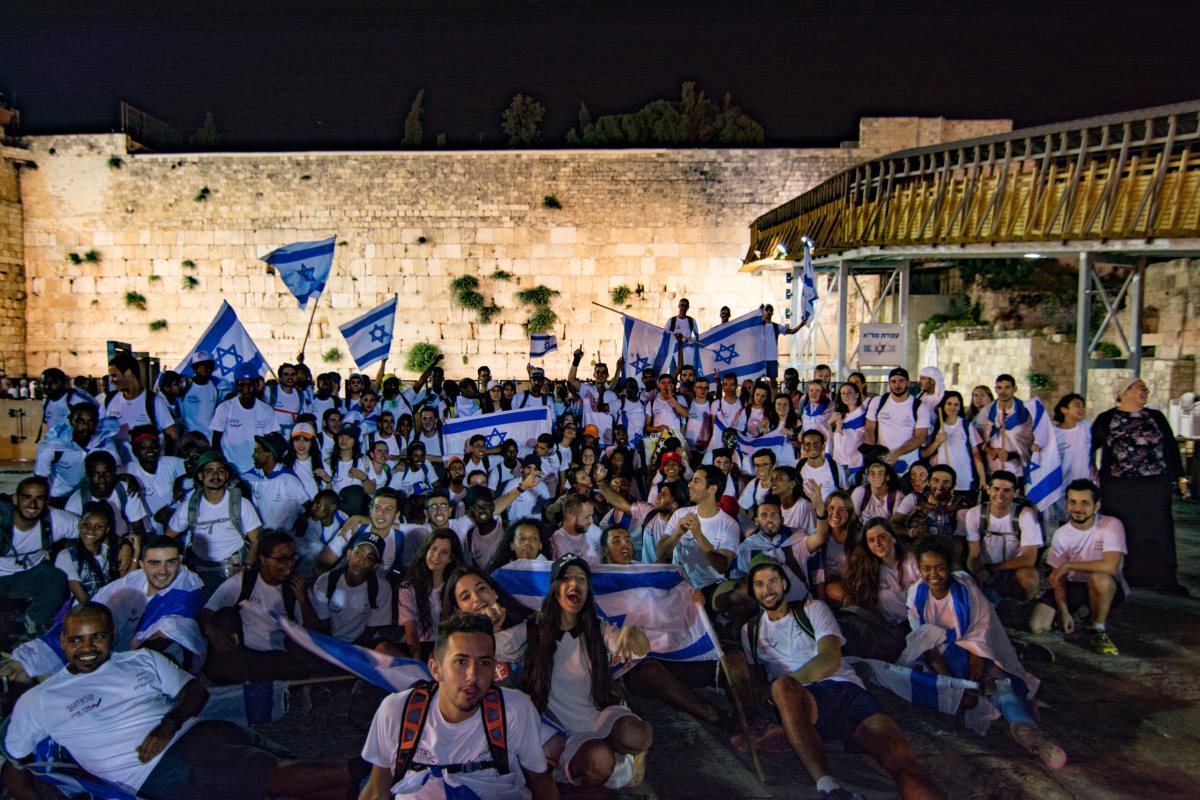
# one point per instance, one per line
(103, 717)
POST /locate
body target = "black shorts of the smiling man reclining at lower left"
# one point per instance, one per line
(213, 760)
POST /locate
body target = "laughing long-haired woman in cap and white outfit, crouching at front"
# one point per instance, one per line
(568, 654)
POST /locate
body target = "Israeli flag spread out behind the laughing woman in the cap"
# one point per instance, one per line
(656, 598)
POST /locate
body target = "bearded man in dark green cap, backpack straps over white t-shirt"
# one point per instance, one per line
(220, 526)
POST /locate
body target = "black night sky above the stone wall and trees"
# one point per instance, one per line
(343, 74)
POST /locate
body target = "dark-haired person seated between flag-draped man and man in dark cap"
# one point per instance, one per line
(245, 645)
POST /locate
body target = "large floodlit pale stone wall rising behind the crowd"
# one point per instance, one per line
(673, 224)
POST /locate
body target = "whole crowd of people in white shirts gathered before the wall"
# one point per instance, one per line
(820, 527)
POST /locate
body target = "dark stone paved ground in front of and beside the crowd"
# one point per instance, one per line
(1131, 724)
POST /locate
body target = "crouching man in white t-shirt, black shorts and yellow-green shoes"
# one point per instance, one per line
(1087, 556)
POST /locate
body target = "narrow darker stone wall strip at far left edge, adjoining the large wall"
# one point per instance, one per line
(13, 270)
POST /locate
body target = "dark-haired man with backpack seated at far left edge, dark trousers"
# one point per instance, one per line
(28, 532)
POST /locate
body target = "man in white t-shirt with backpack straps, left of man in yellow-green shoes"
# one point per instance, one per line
(1004, 538)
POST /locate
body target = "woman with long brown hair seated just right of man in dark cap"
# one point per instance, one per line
(419, 605)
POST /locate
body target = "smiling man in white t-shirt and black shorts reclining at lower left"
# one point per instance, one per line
(137, 730)
